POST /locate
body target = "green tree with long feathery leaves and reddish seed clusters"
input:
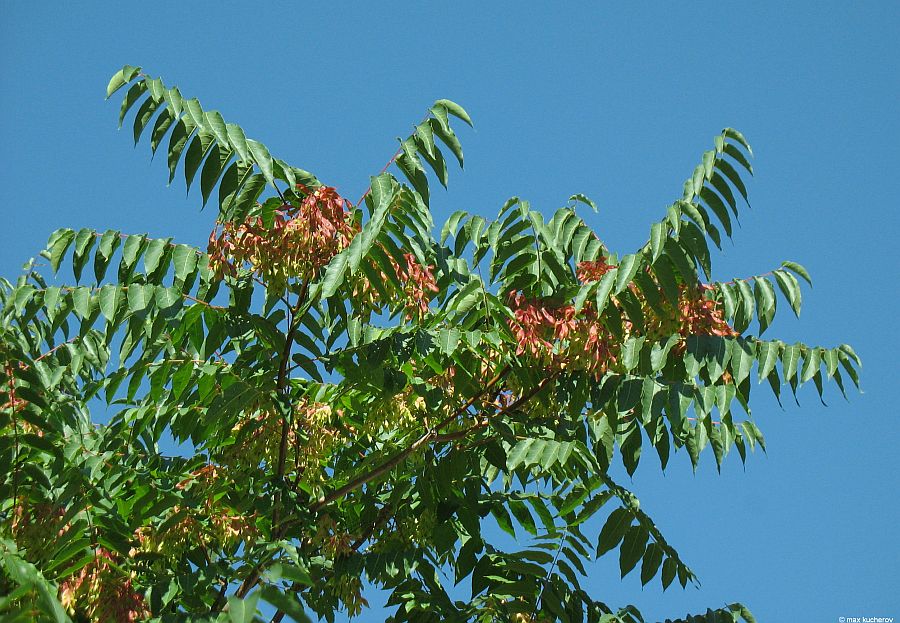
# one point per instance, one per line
(352, 400)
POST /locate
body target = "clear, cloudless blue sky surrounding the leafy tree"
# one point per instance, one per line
(606, 99)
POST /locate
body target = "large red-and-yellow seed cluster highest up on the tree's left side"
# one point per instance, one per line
(301, 240)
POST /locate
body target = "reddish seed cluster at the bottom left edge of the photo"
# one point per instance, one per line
(100, 592)
